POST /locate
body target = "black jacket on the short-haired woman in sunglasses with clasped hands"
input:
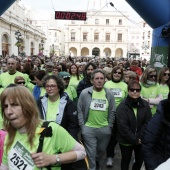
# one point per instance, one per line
(130, 128)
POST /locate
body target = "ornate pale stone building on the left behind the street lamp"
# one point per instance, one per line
(29, 39)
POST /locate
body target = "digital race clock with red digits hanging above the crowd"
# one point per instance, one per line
(65, 15)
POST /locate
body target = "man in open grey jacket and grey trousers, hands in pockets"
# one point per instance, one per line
(96, 114)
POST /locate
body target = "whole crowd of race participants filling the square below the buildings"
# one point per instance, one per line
(49, 105)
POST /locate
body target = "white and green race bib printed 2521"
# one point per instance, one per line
(19, 158)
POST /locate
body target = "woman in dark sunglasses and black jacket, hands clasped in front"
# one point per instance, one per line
(132, 116)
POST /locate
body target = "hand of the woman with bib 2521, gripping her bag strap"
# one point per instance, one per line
(42, 159)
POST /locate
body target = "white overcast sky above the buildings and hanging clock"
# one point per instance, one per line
(82, 5)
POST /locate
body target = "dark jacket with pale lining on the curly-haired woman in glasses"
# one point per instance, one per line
(68, 113)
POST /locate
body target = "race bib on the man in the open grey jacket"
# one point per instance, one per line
(98, 104)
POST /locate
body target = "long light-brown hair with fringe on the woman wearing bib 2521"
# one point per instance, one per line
(22, 96)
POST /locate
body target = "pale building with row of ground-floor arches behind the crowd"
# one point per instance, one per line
(103, 34)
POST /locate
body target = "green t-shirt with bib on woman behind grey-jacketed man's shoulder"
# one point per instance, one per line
(119, 90)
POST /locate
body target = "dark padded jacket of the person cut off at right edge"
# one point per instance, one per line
(156, 141)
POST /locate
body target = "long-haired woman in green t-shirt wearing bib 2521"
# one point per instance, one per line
(23, 127)
